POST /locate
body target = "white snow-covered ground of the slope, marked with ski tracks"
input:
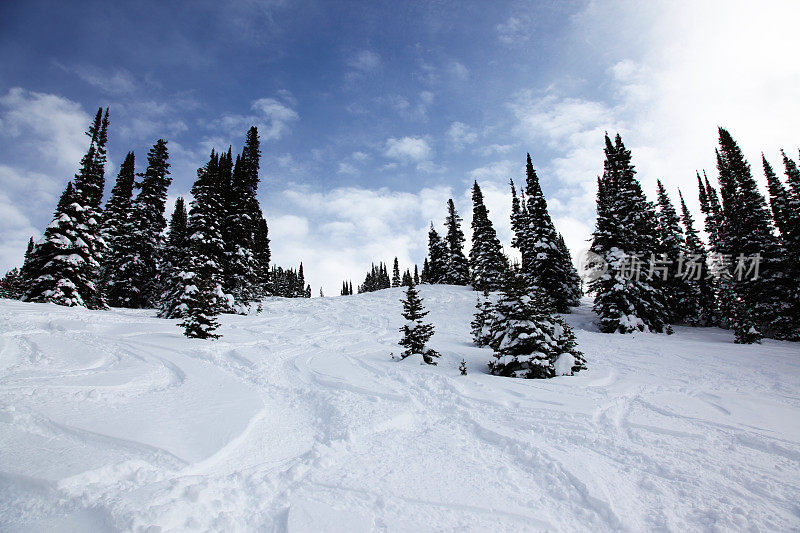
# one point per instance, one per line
(299, 420)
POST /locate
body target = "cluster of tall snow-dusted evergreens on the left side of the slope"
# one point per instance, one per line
(215, 258)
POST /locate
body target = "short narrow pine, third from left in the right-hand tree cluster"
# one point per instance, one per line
(698, 275)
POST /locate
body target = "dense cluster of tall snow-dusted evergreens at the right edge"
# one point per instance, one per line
(741, 228)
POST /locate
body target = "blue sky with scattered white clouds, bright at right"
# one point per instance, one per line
(372, 114)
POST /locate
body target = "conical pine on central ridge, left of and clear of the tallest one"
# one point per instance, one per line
(486, 260)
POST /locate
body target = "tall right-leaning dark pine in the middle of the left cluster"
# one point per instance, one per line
(134, 280)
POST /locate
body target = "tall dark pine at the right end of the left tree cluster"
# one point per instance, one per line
(243, 216)
